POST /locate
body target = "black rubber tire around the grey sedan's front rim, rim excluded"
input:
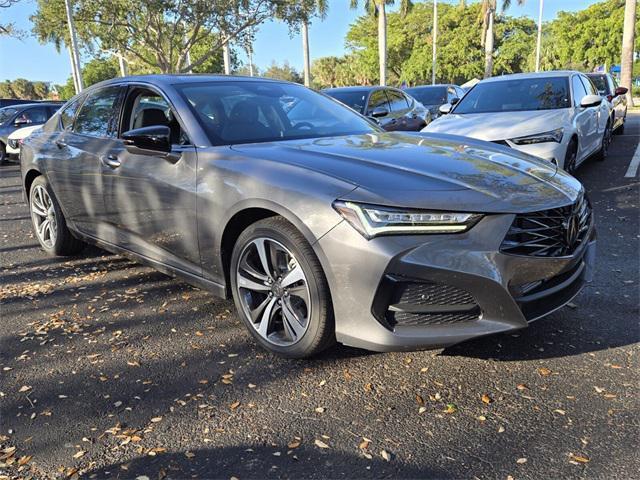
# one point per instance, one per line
(320, 330)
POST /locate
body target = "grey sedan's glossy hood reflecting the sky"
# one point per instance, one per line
(428, 171)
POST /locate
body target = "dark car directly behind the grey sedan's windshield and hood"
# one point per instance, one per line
(390, 107)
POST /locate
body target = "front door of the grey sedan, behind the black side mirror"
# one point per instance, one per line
(150, 199)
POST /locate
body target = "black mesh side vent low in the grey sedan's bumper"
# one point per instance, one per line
(417, 303)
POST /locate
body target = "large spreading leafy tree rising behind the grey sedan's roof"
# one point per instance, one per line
(157, 34)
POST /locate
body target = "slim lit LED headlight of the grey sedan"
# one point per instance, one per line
(372, 221)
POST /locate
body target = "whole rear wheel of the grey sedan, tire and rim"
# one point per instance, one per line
(49, 224)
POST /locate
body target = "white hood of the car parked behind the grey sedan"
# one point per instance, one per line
(500, 125)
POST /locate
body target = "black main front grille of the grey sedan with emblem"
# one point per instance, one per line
(550, 233)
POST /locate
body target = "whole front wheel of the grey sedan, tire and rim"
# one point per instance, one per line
(280, 290)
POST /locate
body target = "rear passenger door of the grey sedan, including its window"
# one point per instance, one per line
(81, 149)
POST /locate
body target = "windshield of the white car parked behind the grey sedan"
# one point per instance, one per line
(541, 93)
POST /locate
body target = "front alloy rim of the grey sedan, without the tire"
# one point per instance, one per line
(273, 291)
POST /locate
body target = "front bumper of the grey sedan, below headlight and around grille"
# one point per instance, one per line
(508, 291)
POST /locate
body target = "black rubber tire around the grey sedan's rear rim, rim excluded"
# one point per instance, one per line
(64, 243)
